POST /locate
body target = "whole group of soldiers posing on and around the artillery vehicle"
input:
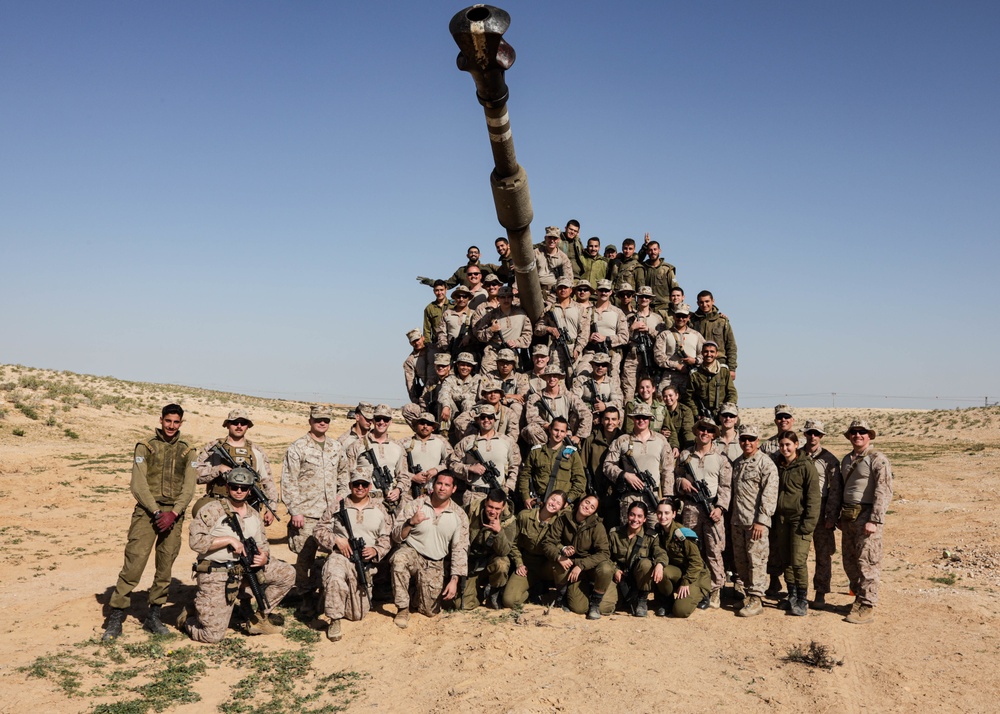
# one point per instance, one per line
(592, 461)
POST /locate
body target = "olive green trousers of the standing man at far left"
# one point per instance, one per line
(142, 538)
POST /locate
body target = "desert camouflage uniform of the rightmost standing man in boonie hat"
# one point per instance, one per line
(868, 485)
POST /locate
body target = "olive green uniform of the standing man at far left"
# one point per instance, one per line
(163, 478)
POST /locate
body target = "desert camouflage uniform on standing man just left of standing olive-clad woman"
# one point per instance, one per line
(755, 496)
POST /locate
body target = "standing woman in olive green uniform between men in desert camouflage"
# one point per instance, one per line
(795, 518)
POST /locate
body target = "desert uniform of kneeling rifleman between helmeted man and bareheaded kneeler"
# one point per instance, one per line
(343, 597)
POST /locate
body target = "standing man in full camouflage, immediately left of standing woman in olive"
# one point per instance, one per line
(755, 496)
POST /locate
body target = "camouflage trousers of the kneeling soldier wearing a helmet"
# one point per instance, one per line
(212, 610)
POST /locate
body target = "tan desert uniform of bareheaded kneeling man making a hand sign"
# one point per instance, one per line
(422, 555)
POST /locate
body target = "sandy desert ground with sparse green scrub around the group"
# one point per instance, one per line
(66, 442)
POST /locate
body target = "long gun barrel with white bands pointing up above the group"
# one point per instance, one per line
(483, 53)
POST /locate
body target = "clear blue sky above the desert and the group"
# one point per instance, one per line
(238, 195)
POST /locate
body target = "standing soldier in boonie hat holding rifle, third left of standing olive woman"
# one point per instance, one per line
(706, 518)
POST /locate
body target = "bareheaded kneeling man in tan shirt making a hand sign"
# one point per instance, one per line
(429, 530)
